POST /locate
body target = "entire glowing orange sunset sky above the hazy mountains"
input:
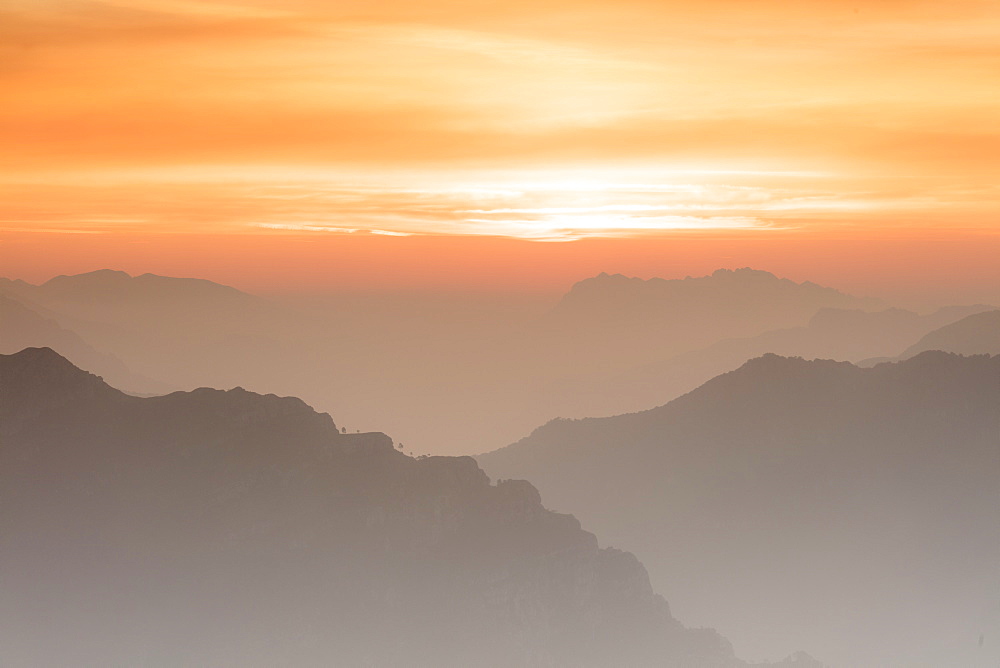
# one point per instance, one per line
(502, 145)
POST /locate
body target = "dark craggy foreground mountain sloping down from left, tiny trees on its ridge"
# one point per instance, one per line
(230, 528)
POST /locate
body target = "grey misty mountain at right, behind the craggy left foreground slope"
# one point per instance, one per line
(852, 512)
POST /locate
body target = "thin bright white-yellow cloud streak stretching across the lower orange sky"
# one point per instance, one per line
(556, 206)
